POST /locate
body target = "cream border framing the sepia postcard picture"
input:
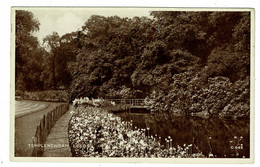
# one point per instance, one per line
(134, 160)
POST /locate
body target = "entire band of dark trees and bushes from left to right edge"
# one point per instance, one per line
(186, 62)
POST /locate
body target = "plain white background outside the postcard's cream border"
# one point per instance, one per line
(5, 60)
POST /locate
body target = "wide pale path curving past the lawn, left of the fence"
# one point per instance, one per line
(25, 128)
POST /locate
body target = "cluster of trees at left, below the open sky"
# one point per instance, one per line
(41, 67)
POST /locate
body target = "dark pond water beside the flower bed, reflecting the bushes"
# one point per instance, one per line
(224, 138)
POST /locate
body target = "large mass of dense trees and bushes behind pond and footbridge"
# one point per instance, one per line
(179, 59)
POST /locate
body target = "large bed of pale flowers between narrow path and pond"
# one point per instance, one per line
(93, 132)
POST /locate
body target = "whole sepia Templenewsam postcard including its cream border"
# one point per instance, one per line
(132, 83)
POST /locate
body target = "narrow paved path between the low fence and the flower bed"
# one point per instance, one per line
(57, 143)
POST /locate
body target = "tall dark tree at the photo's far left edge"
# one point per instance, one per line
(25, 44)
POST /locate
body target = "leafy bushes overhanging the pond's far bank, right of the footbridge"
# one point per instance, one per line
(191, 94)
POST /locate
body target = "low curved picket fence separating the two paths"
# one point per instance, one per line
(44, 128)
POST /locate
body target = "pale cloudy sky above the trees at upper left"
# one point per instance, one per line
(66, 20)
